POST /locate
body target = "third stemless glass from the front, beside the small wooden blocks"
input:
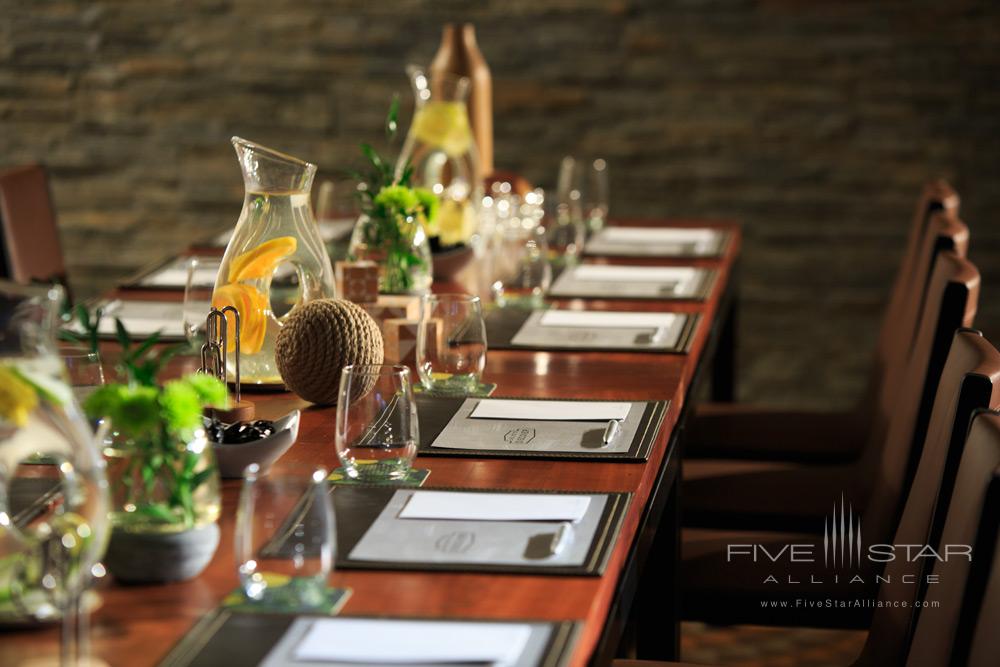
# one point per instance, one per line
(451, 343)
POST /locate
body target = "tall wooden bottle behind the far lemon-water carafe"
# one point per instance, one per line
(459, 54)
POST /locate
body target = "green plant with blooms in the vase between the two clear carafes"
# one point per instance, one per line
(396, 210)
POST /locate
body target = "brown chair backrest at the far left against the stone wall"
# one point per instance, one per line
(31, 247)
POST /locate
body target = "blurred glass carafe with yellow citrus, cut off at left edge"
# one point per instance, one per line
(51, 539)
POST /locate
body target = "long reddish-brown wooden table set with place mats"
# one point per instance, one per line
(138, 625)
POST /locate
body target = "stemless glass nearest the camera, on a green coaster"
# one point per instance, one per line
(285, 536)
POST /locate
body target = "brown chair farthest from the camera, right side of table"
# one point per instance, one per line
(735, 430)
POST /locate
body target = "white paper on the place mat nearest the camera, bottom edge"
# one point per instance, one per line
(372, 641)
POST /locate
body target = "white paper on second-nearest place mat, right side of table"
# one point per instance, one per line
(494, 506)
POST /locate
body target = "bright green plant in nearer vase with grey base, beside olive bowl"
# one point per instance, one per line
(154, 423)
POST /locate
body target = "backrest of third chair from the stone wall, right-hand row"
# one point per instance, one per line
(885, 472)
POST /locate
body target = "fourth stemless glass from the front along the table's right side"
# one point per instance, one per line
(521, 272)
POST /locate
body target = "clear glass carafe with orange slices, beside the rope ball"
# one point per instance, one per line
(275, 259)
